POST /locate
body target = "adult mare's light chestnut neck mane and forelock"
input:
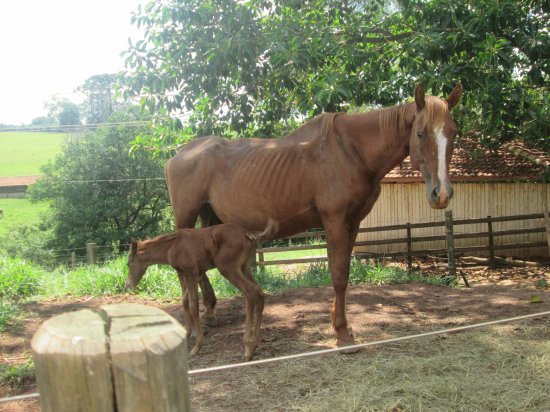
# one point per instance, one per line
(395, 120)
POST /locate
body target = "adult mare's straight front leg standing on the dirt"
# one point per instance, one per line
(339, 247)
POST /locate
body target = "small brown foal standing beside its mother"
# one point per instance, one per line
(194, 251)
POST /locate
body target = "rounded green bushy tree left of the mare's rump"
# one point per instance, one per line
(98, 193)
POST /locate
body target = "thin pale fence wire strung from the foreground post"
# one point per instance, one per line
(328, 351)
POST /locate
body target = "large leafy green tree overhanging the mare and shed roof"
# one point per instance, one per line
(245, 67)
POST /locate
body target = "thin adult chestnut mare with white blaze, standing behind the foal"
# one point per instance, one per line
(326, 173)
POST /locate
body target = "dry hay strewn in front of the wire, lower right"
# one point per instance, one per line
(505, 367)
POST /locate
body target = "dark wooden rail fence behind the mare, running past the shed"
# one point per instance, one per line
(405, 234)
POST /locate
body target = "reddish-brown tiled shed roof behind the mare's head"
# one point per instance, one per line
(473, 161)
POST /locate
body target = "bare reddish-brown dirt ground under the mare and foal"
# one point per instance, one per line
(298, 320)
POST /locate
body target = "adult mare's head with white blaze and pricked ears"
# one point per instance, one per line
(432, 141)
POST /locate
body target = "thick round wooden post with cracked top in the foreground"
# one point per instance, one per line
(122, 358)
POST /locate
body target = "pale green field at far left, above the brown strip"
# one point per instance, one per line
(23, 153)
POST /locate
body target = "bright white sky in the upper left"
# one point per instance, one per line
(50, 47)
